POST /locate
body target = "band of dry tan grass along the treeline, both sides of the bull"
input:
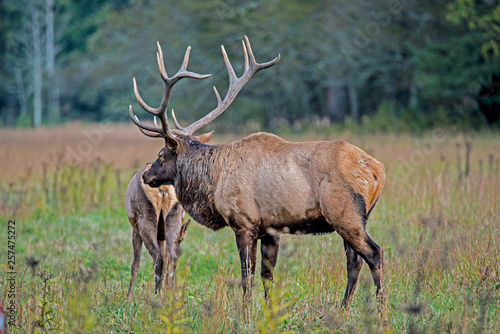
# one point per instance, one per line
(123, 146)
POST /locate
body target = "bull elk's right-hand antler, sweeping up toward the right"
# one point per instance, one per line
(235, 85)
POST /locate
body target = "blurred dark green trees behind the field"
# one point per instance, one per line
(421, 63)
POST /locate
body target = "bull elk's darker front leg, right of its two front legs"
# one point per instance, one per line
(269, 247)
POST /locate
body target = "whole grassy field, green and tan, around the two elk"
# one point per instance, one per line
(437, 221)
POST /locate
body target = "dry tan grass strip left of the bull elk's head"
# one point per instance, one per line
(119, 145)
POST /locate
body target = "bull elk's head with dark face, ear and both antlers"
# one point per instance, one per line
(164, 170)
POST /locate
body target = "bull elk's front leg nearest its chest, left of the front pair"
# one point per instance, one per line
(246, 241)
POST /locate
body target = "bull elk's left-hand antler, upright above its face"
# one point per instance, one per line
(168, 83)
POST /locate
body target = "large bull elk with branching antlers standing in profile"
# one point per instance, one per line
(262, 186)
